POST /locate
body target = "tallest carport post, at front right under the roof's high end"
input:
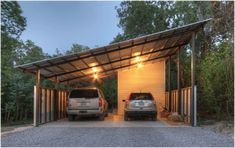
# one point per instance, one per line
(193, 107)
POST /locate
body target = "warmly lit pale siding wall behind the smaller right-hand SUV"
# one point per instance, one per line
(149, 78)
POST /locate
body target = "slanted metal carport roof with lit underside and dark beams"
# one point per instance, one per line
(107, 60)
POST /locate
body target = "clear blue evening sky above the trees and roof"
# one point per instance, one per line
(52, 25)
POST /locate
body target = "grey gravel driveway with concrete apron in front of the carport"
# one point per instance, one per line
(115, 133)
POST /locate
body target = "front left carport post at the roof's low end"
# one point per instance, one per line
(37, 99)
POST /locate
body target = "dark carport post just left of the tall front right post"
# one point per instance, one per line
(178, 81)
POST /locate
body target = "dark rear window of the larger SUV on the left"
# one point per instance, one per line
(84, 93)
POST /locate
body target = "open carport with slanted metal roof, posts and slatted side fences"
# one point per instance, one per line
(97, 64)
